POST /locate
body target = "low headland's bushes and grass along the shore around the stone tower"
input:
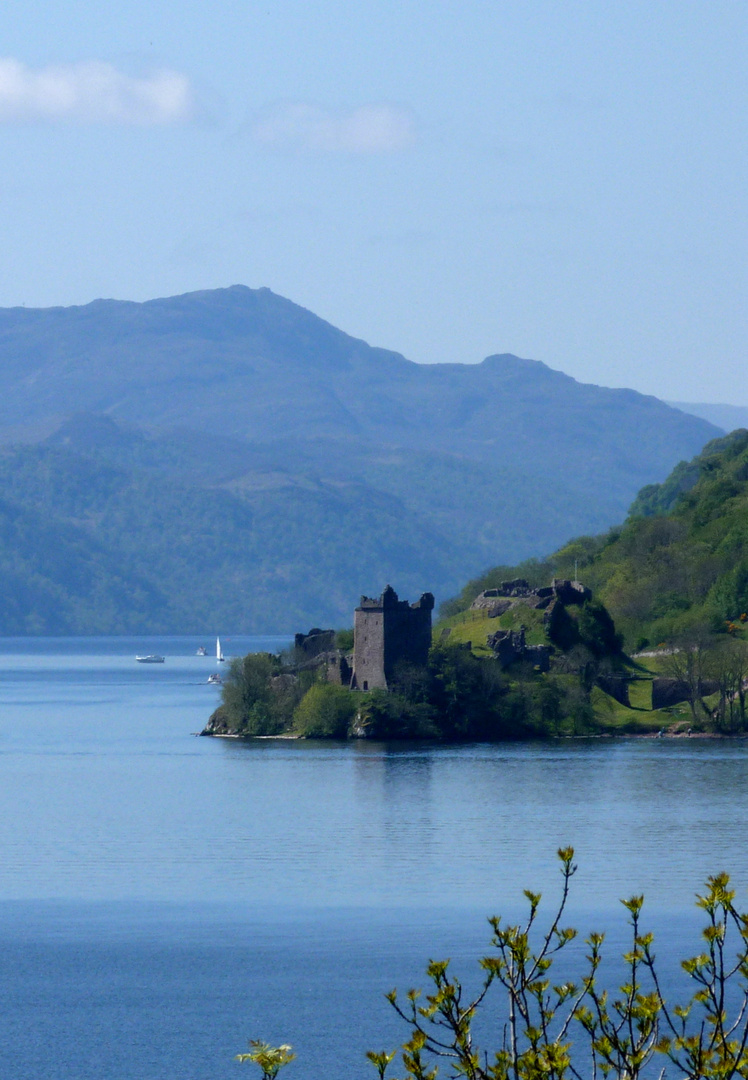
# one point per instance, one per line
(592, 690)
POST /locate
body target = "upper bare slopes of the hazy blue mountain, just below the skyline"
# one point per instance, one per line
(264, 359)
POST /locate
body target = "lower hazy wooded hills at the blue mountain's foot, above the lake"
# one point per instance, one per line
(89, 548)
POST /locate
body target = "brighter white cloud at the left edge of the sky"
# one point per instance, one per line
(92, 92)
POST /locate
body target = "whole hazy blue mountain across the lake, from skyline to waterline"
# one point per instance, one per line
(243, 465)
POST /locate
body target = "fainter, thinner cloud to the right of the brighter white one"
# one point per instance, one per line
(371, 129)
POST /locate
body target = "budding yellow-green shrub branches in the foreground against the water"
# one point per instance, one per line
(573, 1029)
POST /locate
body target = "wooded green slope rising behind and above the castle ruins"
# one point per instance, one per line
(677, 565)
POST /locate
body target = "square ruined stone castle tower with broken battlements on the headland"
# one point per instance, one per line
(388, 631)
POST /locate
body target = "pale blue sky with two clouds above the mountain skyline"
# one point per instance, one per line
(562, 181)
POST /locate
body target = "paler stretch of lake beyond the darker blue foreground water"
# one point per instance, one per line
(106, 794)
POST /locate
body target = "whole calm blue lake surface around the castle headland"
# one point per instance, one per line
(165, 898)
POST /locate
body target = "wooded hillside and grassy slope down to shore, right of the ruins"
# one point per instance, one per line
(674, 578)
